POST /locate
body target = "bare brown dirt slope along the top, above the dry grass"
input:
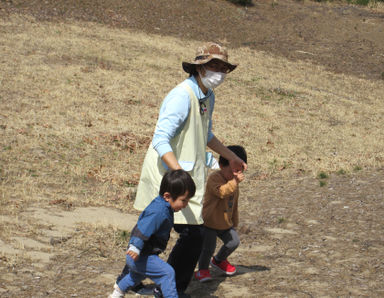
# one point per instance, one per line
(345, 39)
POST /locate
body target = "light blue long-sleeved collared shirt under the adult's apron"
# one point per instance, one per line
(174, 112)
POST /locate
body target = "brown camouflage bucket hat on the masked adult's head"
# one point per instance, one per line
(206, 53)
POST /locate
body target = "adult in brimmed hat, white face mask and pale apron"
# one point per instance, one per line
(182, 133)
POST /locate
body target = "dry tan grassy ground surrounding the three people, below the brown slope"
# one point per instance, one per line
(78, 105)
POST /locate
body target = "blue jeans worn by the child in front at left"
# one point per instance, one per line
(153, 267)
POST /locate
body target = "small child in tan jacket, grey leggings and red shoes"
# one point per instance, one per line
(221, 217)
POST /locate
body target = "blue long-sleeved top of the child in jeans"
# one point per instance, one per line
(153, 228)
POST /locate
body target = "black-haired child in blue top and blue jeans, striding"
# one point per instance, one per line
(151, 234)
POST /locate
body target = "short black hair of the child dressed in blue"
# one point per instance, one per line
(177, 182)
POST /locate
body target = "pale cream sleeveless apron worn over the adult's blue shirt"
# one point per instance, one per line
(189, 148)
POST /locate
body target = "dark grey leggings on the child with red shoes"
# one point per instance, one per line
(231, 242)
